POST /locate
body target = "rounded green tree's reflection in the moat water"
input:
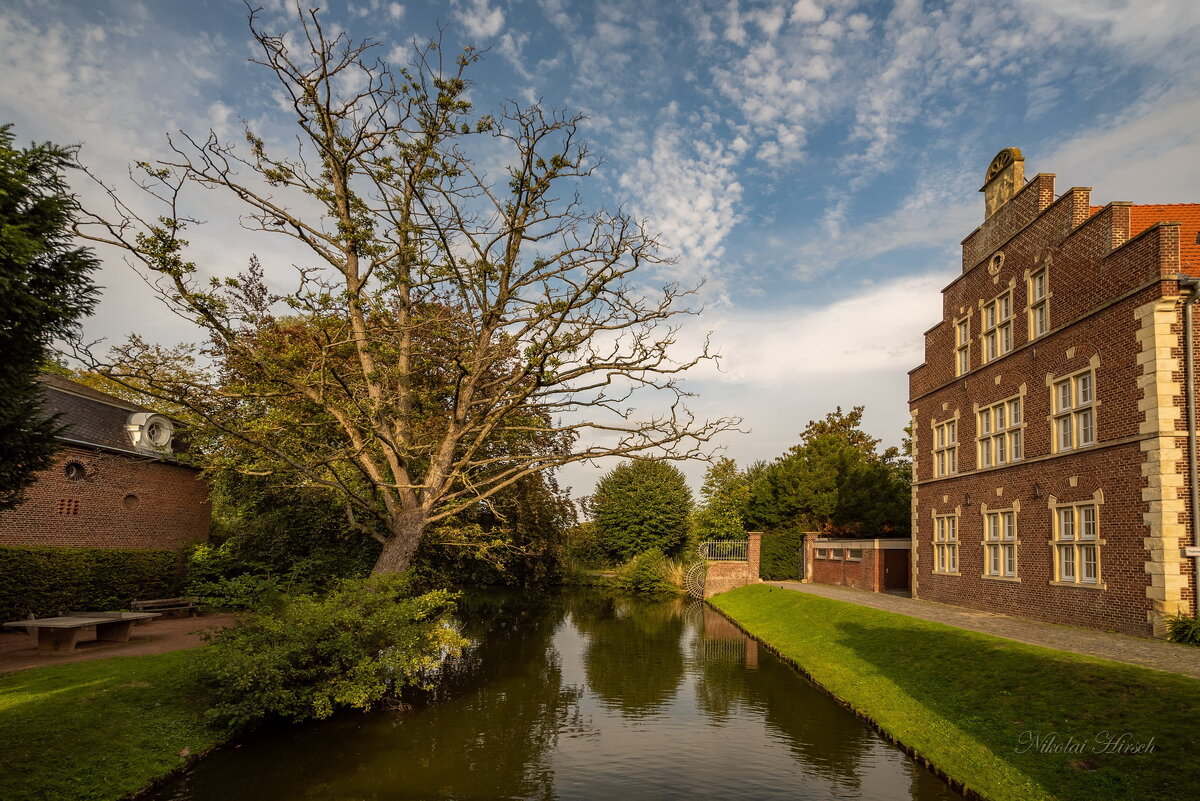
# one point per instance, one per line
(634, 657)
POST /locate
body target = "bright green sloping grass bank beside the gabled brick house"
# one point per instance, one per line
(970, 702)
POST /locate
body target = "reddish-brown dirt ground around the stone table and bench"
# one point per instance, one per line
(20, 652)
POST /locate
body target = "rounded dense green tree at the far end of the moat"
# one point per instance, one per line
(643, 505)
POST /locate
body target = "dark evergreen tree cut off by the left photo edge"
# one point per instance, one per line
(45, 290)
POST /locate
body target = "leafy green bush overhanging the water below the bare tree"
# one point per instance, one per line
(309, 655)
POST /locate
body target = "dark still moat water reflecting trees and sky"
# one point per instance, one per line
(581, 696)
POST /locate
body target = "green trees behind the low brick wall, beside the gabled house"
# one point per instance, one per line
(833, 481)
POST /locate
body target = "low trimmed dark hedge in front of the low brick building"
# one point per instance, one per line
(49, 581)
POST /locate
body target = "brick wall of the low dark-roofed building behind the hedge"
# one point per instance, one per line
(122, 502)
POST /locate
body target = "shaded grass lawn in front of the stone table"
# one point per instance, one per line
(98, 730)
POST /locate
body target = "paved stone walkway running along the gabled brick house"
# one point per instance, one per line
(1121, 648)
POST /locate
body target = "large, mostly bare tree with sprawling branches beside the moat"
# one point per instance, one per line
(454, 332)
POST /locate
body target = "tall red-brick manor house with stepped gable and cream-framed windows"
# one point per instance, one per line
(1053, 424)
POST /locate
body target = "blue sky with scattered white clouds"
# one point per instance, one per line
(813, 164)
